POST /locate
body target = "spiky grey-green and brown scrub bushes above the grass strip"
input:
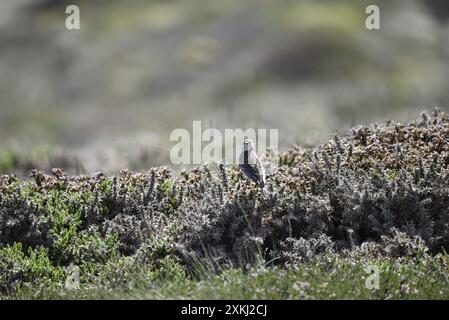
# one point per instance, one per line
(380, 191)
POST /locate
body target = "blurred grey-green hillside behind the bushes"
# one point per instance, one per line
(106, 97)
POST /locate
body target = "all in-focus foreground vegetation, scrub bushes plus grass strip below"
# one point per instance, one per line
(376, 195)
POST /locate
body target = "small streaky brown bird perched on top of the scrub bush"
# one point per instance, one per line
(251, 165)
